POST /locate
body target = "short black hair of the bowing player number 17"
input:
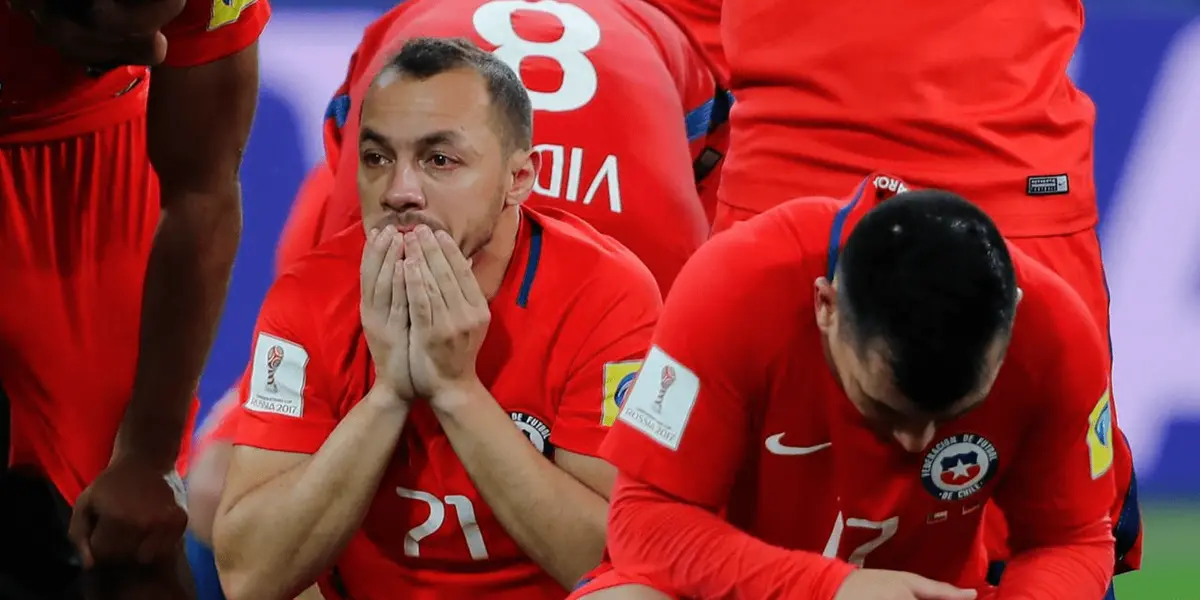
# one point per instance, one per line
(929, 275)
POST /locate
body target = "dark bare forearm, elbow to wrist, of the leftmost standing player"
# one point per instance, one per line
(187, 281)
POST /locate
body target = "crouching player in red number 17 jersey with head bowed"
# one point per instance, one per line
(944, 369)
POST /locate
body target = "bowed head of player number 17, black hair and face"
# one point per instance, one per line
(920, 314)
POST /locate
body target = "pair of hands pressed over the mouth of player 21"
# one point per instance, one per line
(423, 313)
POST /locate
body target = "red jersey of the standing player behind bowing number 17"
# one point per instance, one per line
(967, 97)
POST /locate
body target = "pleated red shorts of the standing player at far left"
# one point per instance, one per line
(77, 220)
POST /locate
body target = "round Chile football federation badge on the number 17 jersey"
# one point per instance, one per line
(959, 466)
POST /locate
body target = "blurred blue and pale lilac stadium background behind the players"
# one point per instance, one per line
(1141, 63)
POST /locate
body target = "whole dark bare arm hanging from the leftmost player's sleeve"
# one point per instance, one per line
(200, 119)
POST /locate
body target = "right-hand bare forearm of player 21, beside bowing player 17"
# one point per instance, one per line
(554, 518)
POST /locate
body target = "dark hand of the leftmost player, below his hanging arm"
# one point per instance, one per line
(131, 514)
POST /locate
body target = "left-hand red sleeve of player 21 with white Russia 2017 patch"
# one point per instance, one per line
(287, 403)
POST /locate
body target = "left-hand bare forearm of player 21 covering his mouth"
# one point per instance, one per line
(278, 538)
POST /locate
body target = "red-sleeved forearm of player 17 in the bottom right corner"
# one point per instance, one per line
(1082, 571)
